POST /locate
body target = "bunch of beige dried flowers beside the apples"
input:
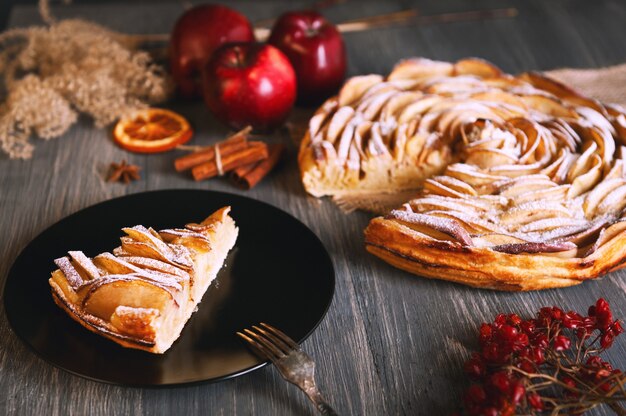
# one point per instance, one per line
(53, 72)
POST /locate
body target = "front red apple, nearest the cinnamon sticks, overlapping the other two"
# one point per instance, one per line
(249, 84)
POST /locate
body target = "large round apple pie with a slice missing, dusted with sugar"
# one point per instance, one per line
(521, 180)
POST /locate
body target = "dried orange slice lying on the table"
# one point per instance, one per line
(152, 130)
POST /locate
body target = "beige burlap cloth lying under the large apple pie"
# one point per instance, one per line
(605, 84)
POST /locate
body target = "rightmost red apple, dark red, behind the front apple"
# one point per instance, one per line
(315, 49)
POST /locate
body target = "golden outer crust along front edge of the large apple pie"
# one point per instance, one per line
(487, 268)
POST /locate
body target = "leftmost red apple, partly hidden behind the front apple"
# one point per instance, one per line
(197, 33)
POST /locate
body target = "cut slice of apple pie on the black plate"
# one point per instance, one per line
(143, 293)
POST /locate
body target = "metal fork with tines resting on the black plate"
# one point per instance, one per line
(293, 364)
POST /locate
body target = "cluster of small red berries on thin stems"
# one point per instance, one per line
(546, 363)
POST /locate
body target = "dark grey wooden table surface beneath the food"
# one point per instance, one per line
(392, 343)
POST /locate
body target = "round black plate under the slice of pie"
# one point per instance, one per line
(279, 273)
